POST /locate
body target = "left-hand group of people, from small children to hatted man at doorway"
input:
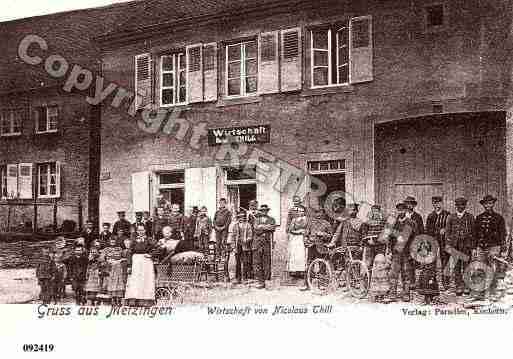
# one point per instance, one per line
(118, 265)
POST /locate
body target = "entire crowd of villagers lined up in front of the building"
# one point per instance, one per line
(119, 264)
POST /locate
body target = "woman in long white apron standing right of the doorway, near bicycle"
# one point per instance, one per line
(296, 264)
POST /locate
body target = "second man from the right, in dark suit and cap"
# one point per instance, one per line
(459, 235)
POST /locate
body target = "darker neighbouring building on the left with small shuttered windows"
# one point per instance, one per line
(49, 136)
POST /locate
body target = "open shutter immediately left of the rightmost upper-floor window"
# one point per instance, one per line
(291, 60)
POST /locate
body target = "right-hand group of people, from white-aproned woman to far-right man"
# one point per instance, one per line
(449, 253)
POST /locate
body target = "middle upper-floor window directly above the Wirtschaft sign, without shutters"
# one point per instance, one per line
(241, 68)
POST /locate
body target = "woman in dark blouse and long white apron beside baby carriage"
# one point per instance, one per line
(140, 289)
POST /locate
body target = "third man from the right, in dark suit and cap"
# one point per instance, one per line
(435, 227)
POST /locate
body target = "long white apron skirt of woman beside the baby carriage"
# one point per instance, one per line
(141, 283)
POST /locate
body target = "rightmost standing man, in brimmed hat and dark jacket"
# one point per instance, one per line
(489, 237)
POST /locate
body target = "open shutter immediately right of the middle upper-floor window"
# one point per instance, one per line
(268, 63)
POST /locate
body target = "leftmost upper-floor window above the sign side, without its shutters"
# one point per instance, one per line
(173, 79)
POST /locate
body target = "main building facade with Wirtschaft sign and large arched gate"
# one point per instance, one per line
(376, 99)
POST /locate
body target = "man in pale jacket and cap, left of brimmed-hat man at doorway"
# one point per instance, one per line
(240, 237)
